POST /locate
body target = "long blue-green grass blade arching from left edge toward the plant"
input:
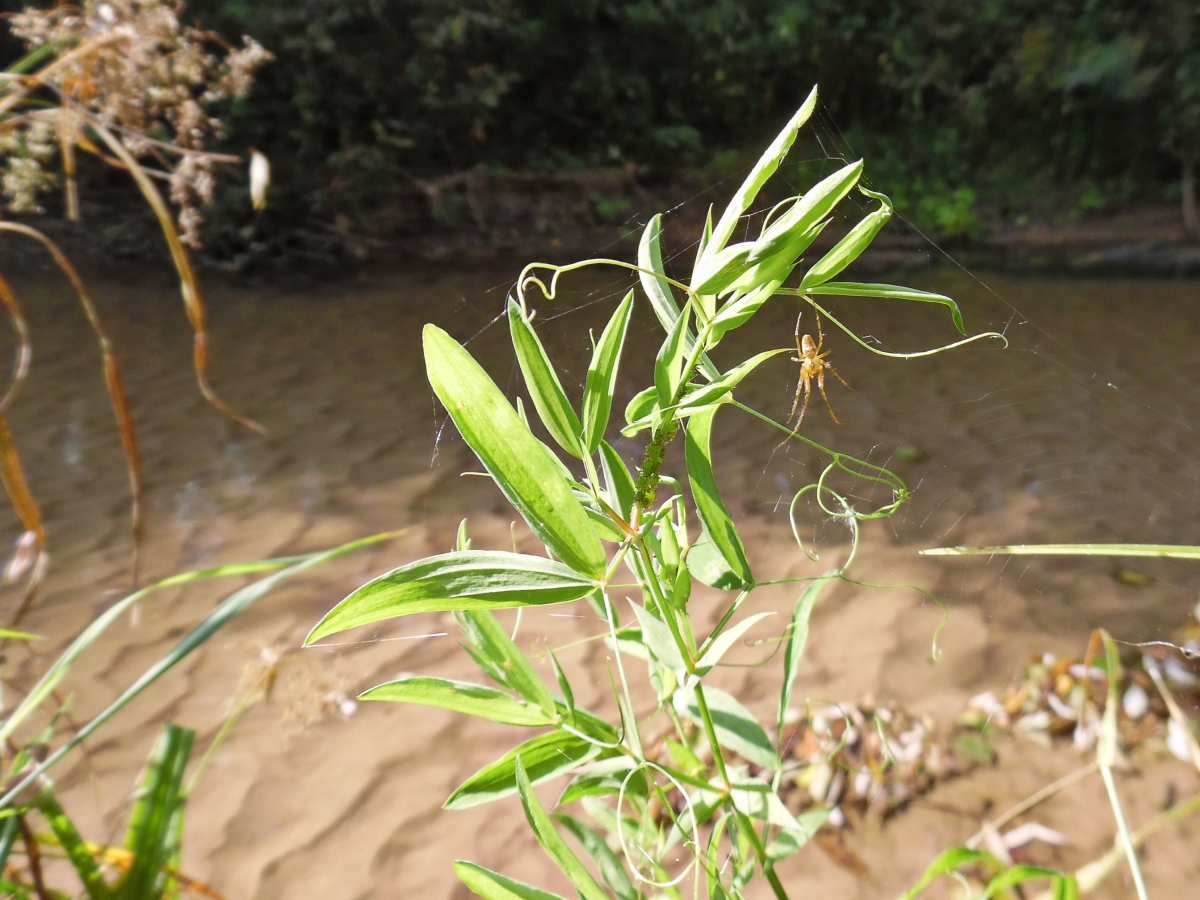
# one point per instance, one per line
(229, 610)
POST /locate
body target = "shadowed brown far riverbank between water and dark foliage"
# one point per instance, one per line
(487, 219)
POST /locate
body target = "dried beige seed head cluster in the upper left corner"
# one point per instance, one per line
(129, 67)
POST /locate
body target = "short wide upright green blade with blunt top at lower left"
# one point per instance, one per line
(159, 805)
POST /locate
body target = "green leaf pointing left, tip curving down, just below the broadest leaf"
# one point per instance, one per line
(461, 580)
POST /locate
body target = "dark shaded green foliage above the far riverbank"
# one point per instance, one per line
(376, 92)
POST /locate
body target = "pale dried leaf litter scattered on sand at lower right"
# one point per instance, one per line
(868, 761)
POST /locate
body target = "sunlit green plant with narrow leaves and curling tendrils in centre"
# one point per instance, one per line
(711, 784)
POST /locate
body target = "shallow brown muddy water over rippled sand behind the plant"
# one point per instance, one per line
(1082, 430)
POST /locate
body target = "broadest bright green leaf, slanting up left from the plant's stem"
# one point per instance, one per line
(520, 465)
